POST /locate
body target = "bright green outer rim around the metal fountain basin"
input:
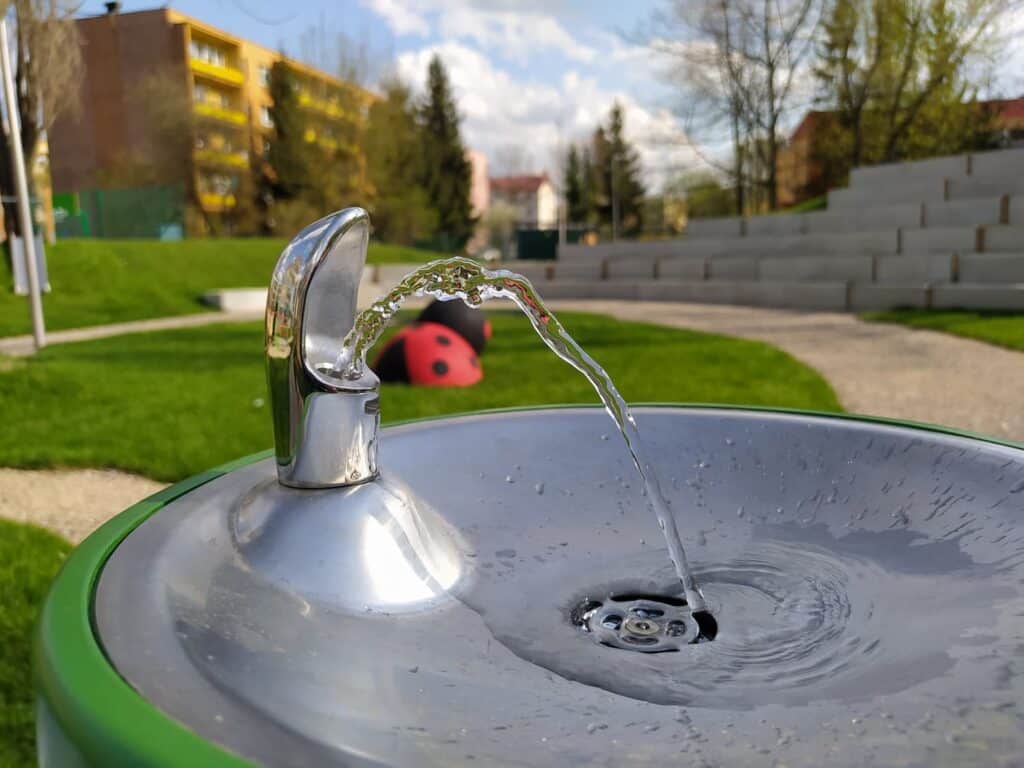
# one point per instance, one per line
(113, 726)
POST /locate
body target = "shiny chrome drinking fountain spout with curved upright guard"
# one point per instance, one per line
(325, 426)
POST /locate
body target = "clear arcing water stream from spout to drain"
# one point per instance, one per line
(466, 280)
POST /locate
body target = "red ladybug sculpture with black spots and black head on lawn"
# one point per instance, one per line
(429, 355)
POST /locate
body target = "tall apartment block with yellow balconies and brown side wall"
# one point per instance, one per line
(225, 80)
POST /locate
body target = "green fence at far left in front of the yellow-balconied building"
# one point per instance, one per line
(147, 212)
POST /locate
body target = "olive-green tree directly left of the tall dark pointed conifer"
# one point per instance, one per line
(402, 211)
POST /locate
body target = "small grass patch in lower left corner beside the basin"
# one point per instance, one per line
(30, 559)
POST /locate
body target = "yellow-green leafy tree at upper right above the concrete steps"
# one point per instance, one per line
(898, 77)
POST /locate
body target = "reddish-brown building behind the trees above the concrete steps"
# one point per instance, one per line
(802, 176)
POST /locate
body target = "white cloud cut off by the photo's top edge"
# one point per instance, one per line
(517, 31)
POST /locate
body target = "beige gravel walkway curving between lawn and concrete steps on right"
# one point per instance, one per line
(876, 369)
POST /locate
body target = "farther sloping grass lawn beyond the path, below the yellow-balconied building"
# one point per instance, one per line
(107, 281)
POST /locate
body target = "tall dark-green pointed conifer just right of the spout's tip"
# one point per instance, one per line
(447, 172)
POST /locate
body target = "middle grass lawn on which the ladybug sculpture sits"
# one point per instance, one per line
(172, 404)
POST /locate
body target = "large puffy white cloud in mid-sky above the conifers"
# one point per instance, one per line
(500, 111)
